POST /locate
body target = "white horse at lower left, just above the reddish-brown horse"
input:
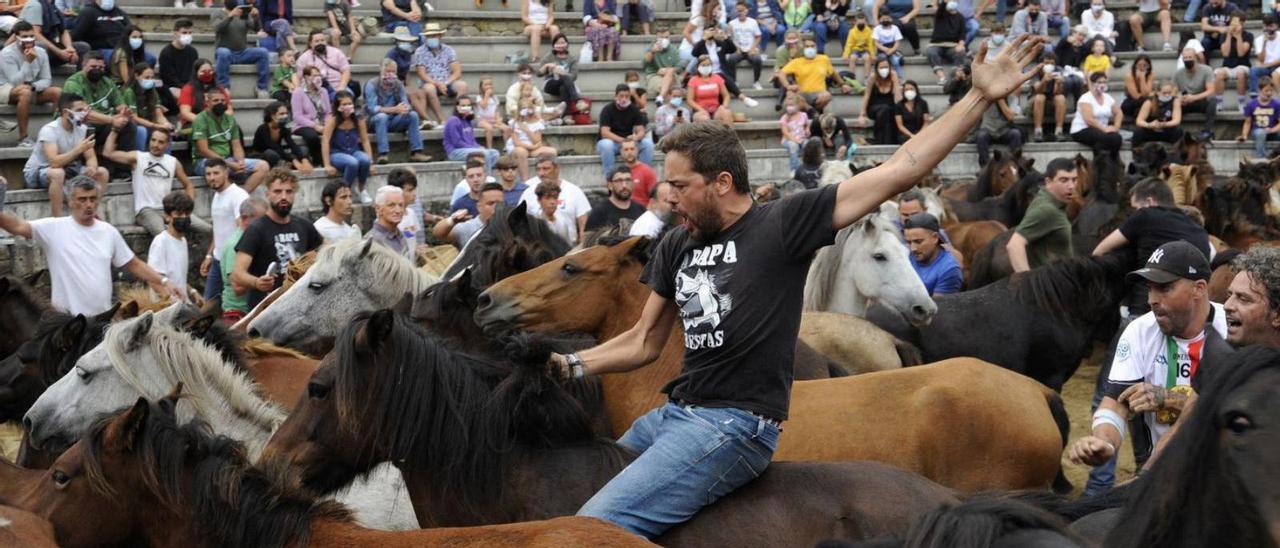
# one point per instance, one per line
(147, 358)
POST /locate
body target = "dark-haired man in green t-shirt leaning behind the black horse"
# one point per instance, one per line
(1045, 232)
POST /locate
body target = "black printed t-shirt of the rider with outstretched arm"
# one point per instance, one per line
(739, 298)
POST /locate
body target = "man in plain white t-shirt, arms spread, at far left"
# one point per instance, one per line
(83, 250)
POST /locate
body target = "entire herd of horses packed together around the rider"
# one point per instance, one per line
(371, 401)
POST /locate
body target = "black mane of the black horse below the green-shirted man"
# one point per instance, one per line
(1075, 290)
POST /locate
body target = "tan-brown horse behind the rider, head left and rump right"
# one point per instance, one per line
(952, 422)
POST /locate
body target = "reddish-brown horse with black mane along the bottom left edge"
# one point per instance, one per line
(141, 477)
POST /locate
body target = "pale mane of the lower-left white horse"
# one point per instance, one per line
(196, 366)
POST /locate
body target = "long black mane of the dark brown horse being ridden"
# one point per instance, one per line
(461, 418)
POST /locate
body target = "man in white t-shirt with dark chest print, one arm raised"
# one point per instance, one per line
(154, 172)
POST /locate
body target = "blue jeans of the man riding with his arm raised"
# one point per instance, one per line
(689, 458)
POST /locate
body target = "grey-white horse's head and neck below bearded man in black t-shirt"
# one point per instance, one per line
(349, 278)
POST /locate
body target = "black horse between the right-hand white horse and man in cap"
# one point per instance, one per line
(1041, 323)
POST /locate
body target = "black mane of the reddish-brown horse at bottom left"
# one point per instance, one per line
(230, 501)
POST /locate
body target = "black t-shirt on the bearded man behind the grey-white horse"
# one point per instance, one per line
(268, 241)
